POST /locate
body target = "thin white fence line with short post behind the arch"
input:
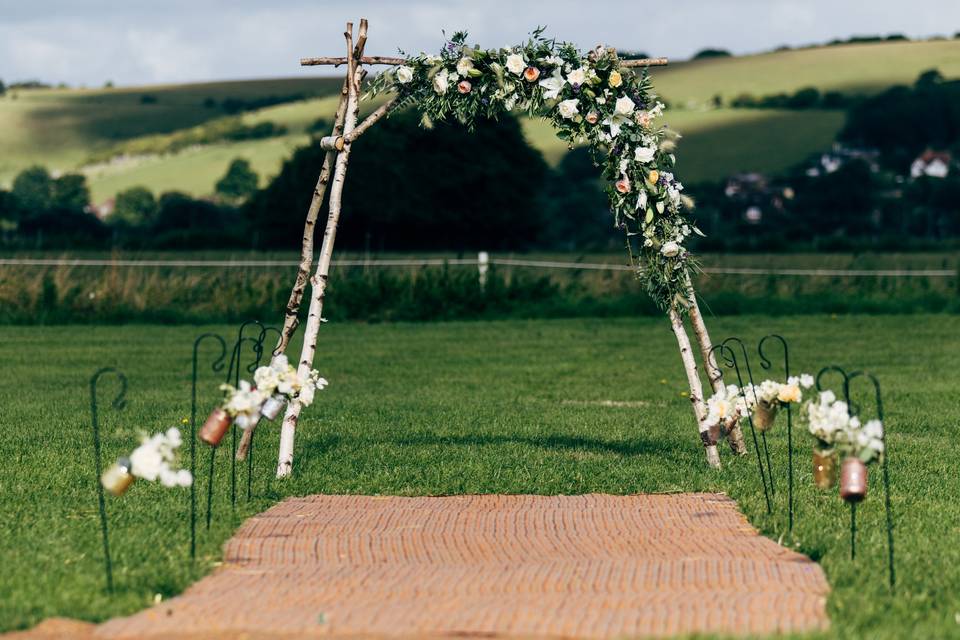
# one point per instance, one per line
(482, 261)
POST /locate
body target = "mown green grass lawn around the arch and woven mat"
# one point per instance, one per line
(510, 407)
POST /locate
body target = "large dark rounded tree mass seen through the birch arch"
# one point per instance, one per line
(414, 188)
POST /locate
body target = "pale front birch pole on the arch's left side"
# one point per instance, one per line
(318, 282)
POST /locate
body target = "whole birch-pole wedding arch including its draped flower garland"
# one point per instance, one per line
(593, 98)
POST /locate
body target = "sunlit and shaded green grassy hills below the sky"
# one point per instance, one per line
(62, 129)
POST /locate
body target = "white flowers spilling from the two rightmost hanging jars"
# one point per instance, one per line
(830, 422)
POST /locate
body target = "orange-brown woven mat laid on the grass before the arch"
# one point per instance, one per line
(529, 566)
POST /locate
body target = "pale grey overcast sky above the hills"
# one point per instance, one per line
(149, 41)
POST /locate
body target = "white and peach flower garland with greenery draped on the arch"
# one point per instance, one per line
(590, 99)
